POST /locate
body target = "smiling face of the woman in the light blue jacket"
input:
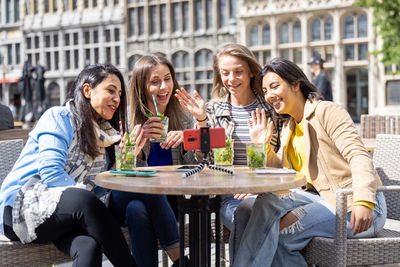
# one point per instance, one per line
(105, 97)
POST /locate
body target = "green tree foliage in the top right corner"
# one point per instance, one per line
(387, 25)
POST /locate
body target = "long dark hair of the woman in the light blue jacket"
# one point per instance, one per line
(82, 111)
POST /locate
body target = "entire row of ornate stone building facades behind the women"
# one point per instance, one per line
(65, 35)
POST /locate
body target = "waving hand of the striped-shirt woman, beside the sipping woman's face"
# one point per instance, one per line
(195, 105)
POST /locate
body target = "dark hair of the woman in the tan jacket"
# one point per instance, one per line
(291, 73)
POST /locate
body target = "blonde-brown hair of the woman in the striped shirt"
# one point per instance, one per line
(242, 52)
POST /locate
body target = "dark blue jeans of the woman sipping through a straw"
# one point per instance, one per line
(149, 218)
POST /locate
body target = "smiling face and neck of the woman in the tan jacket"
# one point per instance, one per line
(285, 98)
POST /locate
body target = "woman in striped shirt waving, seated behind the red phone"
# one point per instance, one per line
(236, 94)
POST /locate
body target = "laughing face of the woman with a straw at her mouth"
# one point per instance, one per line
(160, 84)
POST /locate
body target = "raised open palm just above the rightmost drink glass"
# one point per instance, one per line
(258, 126)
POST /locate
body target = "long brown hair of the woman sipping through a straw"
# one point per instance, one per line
(137, 93)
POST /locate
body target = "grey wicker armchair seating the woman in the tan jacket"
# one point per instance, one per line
(383, 249)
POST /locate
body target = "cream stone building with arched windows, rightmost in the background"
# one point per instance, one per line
(338, 31)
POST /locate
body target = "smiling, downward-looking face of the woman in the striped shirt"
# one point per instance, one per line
(235, 75)
